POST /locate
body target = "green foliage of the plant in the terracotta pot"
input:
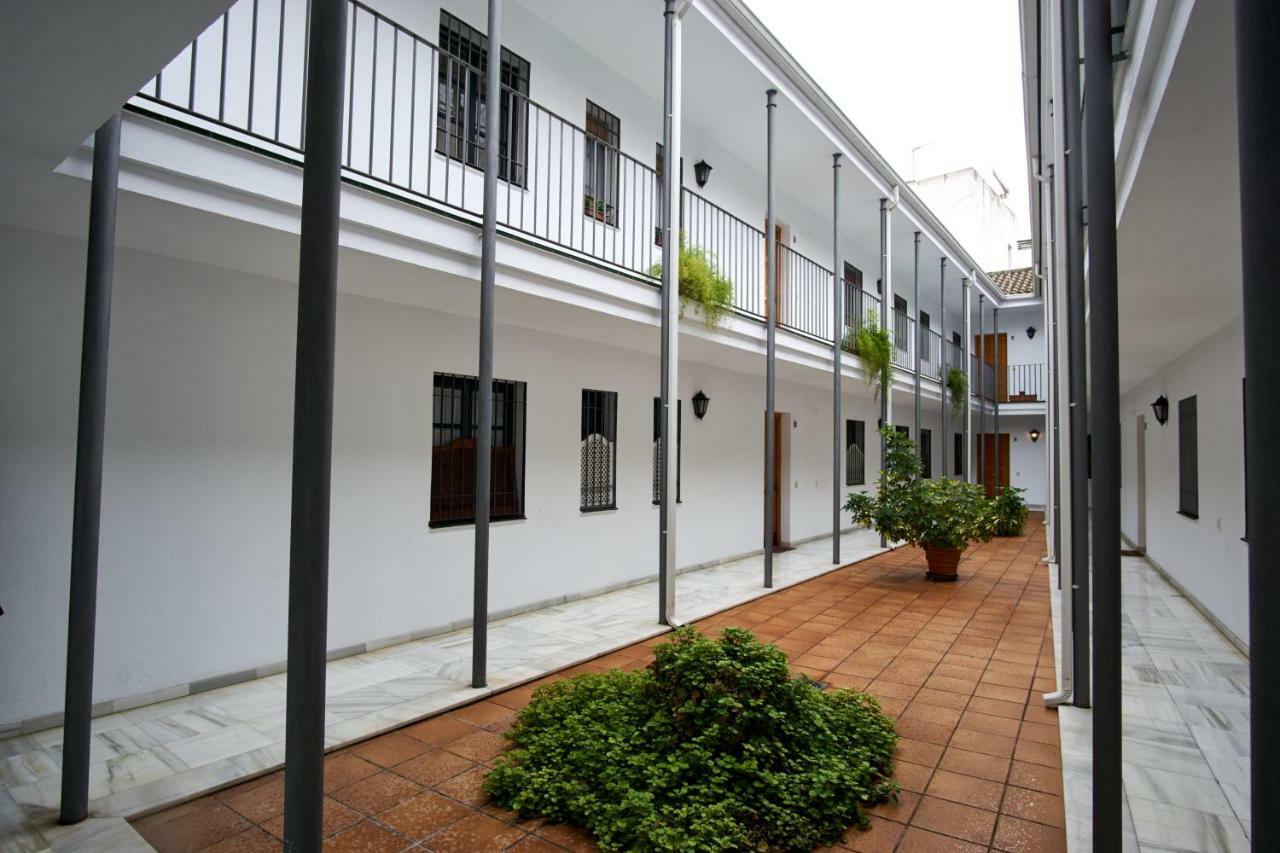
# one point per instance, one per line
(940, 514)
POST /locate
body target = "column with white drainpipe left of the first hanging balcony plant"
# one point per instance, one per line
(669, 432)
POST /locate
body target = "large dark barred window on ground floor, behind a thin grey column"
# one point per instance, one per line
(454, 450)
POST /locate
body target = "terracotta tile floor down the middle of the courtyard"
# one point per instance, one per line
(961, 667)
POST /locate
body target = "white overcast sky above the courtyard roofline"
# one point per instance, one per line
(940, 77)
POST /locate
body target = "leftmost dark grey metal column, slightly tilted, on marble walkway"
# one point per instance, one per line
(88, 503)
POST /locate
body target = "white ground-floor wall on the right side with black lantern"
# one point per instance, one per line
(1206, 555)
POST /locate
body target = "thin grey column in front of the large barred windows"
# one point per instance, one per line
(484, 394)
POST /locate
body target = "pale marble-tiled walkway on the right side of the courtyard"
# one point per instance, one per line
(1186, 694)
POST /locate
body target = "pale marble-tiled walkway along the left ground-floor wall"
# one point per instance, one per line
(172, 751)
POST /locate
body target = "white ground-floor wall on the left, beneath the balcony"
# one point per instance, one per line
(196, 475)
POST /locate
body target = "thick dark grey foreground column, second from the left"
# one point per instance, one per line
(313, 428)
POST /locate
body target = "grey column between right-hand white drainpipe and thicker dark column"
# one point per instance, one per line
(1077, 373)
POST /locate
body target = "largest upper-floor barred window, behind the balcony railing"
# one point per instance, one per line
(461, 113)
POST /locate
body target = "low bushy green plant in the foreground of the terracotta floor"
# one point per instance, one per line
(714, 747)
